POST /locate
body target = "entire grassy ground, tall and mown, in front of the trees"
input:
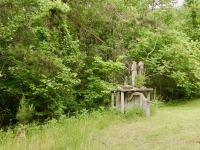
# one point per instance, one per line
(170, 128)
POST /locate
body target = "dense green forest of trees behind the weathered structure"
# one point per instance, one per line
(61, 56)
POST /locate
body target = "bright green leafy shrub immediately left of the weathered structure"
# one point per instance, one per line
(101, 76)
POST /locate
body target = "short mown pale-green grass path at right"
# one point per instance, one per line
(171, 128)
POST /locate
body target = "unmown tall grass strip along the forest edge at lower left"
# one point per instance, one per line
(74, 133)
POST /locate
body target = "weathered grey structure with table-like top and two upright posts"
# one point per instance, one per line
(129, 96)
